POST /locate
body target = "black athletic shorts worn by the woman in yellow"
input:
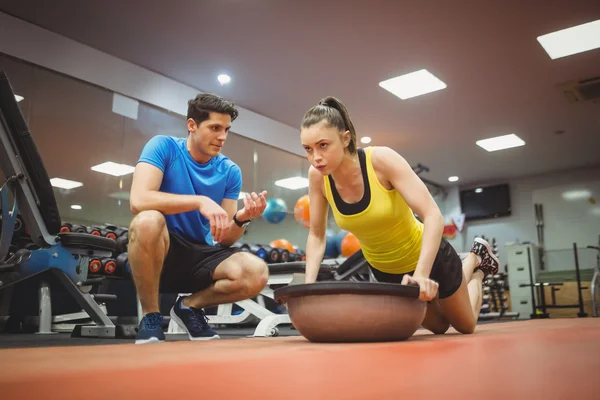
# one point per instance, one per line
(446, 270)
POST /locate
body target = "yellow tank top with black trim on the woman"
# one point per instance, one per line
(388, 232)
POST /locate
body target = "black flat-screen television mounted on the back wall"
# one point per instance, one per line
(485, 202)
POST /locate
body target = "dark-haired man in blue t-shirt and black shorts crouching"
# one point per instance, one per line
(184, 196)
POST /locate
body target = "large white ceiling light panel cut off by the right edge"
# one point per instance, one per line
(576, 39)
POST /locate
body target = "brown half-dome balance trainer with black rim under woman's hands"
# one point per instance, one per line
(338, 312)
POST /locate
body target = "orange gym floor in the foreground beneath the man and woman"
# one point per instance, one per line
(538, 359)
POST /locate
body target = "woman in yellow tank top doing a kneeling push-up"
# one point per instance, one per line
(374, 193)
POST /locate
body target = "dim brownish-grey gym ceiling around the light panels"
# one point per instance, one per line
(284, 56)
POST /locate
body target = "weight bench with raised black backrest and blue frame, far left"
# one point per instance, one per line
(56, 261)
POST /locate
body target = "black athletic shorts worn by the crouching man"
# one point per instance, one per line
(188, 267)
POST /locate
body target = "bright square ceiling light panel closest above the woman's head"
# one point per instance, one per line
(413, 84)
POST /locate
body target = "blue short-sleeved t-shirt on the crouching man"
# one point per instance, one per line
(220, 178)
